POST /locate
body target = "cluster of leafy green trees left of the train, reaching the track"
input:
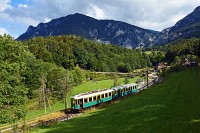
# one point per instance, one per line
(20, 78)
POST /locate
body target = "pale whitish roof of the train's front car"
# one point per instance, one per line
(91, 94)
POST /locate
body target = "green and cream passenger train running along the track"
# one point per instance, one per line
(93, 98)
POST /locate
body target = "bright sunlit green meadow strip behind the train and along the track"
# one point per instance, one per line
(85, 87)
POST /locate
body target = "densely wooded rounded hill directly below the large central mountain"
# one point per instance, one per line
(68, 51)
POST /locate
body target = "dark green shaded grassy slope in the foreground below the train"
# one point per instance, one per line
(172, 106)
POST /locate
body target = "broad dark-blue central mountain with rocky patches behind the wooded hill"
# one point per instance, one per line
(104, 31)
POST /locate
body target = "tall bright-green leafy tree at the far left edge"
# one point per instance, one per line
(12, 90)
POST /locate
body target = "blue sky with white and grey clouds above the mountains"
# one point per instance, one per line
(17, 15)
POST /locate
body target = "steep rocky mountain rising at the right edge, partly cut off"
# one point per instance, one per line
(186, 28)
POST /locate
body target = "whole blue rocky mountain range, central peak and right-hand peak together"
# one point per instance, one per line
(117, 32)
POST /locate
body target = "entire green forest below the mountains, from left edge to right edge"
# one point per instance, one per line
(27, 67)
